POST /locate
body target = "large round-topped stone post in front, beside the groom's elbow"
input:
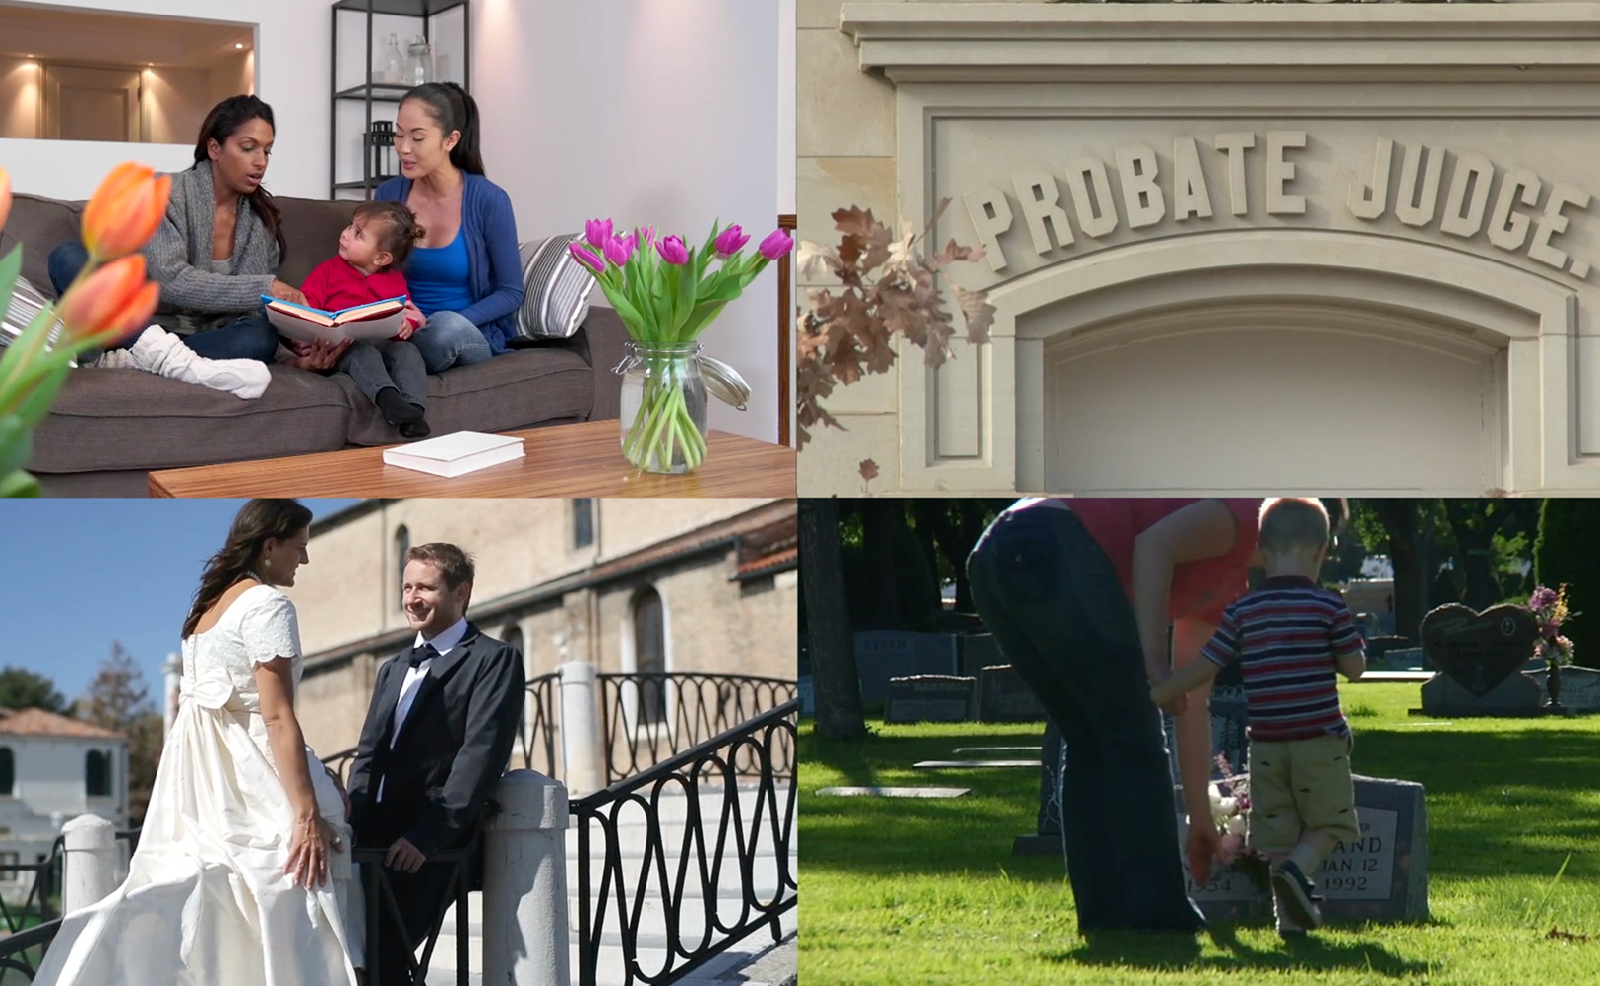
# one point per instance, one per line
(526, 931)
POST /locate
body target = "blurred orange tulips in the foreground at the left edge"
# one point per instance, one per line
(110, 300)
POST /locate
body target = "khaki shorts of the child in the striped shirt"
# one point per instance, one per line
(1302, 785)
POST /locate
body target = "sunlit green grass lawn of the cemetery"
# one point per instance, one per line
(900, 891)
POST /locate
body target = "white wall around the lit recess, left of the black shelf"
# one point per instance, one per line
(294, 38)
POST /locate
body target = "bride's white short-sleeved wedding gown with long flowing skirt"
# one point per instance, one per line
(207, 902)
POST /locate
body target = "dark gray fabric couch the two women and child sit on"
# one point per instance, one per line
(111, 428)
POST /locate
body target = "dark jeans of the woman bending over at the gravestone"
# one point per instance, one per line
(1058, 611)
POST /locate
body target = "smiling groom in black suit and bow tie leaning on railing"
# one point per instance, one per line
(439, 735)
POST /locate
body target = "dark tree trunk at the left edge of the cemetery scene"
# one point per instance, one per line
(834, 675)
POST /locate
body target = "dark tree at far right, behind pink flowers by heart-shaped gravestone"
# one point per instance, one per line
(1569, 551)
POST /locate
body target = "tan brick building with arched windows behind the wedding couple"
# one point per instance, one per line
(562, 580)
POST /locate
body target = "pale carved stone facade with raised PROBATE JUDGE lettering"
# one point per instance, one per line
(1231, 246)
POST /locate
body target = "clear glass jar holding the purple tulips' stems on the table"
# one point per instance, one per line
(663, 407)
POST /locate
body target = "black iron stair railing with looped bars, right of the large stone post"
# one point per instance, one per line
(738, 798)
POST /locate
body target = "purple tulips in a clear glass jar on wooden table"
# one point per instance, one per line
(666, 294)
